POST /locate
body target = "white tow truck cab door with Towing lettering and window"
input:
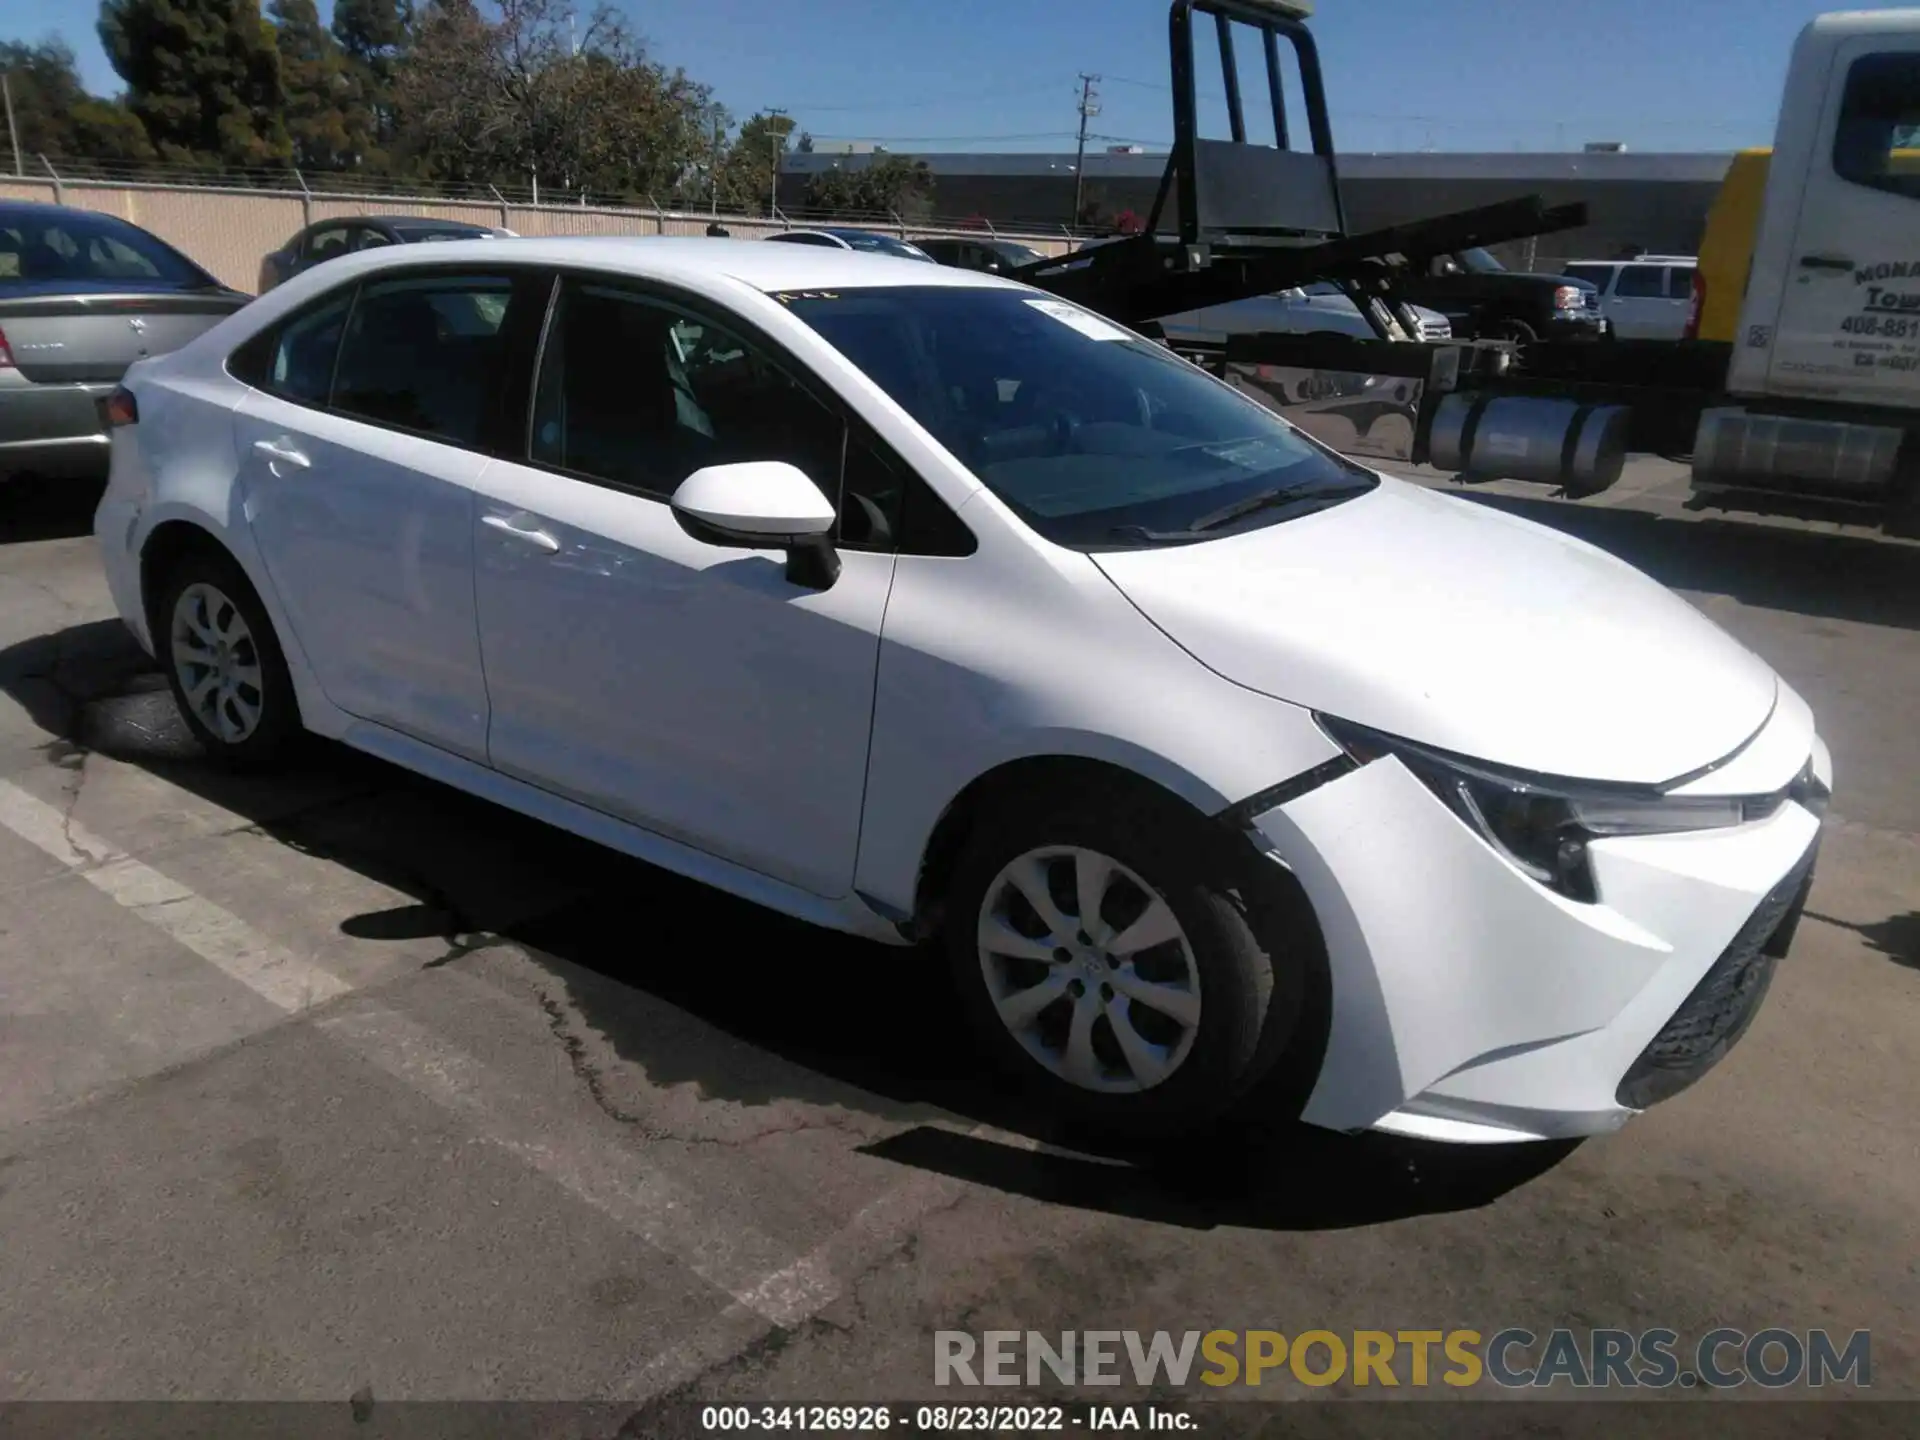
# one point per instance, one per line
(1850, 314)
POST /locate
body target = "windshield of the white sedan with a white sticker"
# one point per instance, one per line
(1092, 435)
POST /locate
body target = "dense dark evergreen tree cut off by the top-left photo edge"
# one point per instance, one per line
(203, 76)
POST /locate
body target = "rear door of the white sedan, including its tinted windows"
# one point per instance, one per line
(358, 485)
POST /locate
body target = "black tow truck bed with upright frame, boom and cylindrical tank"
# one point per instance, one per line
(1237, 220)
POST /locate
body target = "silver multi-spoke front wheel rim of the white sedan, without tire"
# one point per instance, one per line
(1090, 971)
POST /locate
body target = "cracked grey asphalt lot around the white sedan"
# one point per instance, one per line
(339, 1086)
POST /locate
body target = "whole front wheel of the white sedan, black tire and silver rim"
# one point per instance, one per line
(1111, 971)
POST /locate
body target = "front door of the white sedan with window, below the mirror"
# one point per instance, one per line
(681, 686)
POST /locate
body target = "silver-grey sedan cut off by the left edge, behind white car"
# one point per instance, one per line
(84, 297)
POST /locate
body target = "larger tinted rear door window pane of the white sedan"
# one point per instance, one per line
(425, 354)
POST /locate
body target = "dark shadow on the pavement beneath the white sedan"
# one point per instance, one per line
(821, 1019)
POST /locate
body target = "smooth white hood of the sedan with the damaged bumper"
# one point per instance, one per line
(1464, 629)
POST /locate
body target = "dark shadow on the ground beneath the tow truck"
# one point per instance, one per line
(1813, 573)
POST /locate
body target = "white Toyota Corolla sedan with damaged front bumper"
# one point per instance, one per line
(930, 608)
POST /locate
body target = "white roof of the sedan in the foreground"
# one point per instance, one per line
(686, 258)
